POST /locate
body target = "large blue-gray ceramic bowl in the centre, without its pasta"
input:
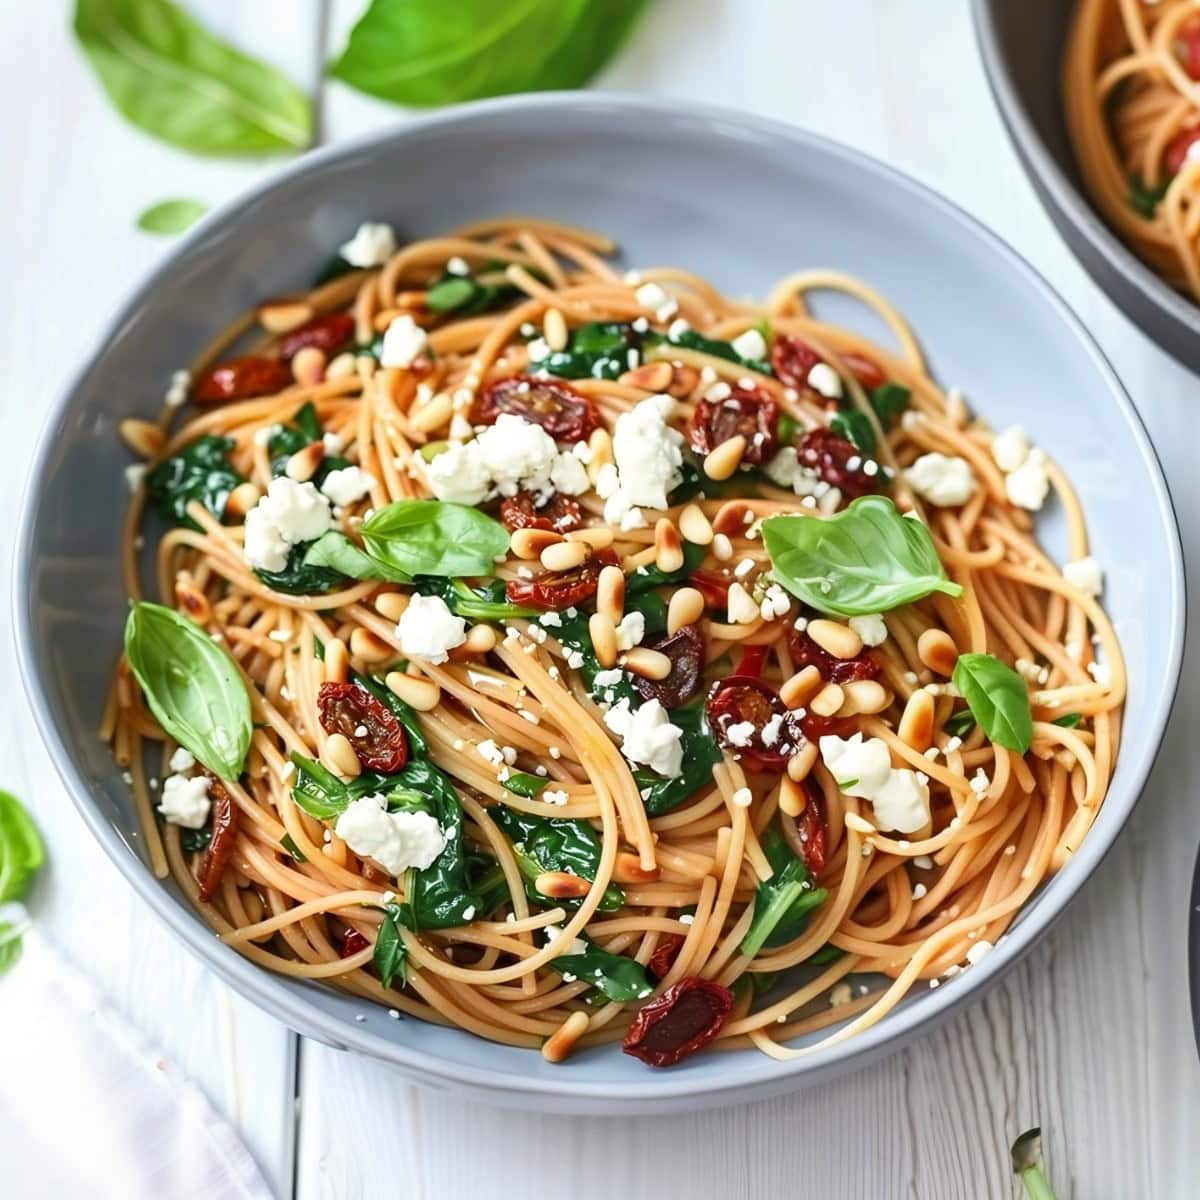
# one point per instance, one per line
(740, 200)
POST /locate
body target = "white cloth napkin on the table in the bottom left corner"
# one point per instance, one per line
(89, 1109)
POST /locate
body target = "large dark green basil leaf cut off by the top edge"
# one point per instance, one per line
(430, 55)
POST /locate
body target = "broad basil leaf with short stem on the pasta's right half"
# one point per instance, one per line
(865, 560)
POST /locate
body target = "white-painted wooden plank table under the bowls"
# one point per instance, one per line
(1090, 1036)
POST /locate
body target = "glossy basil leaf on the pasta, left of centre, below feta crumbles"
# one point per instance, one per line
(435, 538)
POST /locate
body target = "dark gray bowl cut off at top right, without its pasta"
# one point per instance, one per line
(1022, 43)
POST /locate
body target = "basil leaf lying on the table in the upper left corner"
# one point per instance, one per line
(172, 79)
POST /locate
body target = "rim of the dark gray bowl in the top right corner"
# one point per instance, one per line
(1070, 200)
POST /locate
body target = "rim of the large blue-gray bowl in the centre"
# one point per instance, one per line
(765, 1077)
